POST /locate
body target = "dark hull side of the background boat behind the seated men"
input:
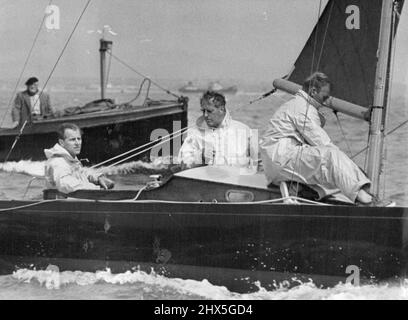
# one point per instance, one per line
(103, 137)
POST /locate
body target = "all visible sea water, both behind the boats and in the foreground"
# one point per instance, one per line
(350, 136)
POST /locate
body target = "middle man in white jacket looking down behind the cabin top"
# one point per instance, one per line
(217, 139)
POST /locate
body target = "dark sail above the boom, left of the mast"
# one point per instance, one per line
(344, 46)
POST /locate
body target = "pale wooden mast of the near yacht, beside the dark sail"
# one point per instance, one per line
(375, 154)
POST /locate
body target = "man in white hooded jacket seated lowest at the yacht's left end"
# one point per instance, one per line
(63, 170)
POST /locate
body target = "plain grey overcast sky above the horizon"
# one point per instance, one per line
(254, 40)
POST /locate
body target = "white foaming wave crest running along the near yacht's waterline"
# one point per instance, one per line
(152, 285)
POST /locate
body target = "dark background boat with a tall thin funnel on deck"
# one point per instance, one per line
(109, 129)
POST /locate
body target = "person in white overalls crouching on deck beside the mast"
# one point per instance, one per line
(296, 148)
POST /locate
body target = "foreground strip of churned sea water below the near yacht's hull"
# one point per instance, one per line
(138, 285)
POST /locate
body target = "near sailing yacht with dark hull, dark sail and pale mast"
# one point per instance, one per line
(230, 228)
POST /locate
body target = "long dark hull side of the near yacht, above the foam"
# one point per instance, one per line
(231, 245)
